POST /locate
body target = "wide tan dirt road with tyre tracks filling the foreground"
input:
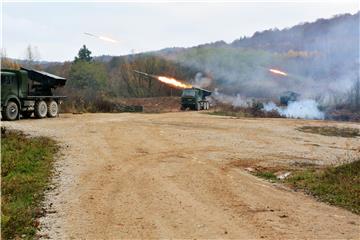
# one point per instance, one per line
(180, 175)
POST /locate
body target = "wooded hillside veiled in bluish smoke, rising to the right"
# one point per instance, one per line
(322, 56)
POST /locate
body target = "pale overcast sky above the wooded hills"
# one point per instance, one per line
(57, 29)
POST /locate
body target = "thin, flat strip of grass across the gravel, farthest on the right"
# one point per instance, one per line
(331, 131)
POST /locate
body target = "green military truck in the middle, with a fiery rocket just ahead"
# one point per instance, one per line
(195, 98)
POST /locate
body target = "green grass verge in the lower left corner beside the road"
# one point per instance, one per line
(26, 166)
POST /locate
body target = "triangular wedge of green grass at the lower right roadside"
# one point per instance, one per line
(338, 186)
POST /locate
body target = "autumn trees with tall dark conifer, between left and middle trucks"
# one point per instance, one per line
(91, 82)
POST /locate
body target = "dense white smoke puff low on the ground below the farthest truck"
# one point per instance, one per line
(305, 109)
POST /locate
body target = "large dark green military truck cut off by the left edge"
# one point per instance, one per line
(28, 91)
